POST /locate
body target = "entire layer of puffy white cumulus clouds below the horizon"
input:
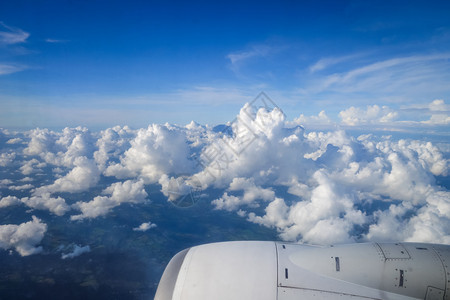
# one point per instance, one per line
(312, 186)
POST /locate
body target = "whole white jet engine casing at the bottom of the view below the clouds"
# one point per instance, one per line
(281, 271)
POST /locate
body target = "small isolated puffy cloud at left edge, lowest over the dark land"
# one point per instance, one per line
(24, 237)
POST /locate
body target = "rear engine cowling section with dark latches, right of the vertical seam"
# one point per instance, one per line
(402, 270)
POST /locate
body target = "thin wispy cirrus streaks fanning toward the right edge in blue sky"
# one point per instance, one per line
(364, 80)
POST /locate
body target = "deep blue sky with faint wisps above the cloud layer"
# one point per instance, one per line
(106, 63)
